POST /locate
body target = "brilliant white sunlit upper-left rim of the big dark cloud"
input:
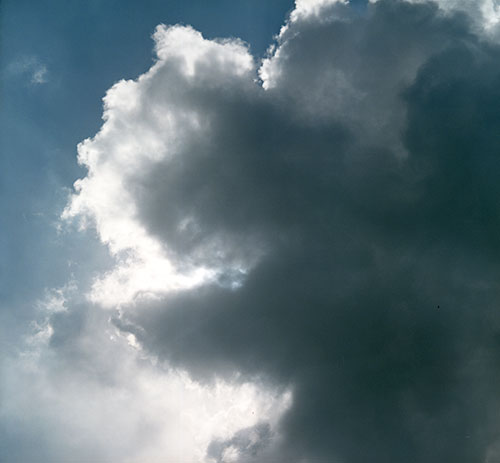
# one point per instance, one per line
(146, 123)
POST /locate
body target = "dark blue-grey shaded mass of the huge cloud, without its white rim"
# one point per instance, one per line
(367, 178)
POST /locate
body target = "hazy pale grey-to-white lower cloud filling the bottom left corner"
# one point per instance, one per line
(81, 389)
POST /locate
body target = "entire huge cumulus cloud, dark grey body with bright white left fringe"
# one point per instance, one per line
(321, 228)
